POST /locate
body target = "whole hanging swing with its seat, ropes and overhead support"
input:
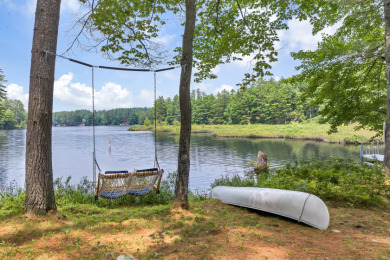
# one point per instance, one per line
(116, 184)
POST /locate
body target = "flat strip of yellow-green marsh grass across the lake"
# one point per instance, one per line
(302, 131)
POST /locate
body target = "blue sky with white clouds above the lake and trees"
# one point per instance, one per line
(115, 89)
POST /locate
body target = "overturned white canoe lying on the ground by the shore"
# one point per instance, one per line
(301, 206)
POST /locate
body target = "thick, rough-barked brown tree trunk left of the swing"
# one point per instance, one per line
(39, 173)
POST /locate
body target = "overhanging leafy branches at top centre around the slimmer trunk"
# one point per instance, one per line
(225, 31)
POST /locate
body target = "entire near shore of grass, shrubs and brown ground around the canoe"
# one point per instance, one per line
(148, 227)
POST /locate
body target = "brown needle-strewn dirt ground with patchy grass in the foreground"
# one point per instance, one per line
(209, 230)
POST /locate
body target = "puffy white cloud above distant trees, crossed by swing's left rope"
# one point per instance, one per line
(78, 95)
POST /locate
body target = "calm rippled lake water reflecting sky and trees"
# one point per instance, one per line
(211, 157)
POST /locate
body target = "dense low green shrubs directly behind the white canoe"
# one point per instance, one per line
(342, 181)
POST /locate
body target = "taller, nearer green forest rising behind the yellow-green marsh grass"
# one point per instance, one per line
(265, 102)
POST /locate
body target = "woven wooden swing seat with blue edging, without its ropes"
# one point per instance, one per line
(116, 184)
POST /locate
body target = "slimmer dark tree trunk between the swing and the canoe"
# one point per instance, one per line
(183, 170)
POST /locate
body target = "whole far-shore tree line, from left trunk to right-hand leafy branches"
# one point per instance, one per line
(265, 102)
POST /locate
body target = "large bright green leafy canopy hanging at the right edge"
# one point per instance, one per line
(346, 74)
